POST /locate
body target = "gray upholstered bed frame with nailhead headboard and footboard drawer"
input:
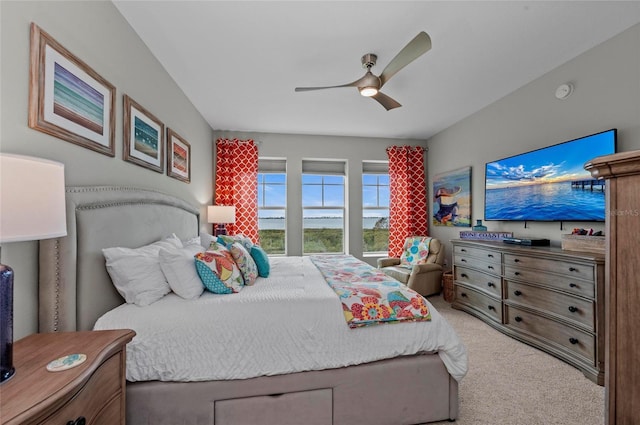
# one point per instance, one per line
(75, 291)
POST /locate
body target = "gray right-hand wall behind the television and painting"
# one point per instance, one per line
(607, 95)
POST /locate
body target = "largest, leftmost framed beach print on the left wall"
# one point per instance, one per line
(68, 99)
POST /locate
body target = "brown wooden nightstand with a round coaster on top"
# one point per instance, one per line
(93, 390)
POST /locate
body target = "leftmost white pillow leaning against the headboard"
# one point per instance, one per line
(136, 272)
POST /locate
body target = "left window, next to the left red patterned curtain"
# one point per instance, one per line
(272, 205)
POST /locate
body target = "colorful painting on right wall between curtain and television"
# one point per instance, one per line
(452, 198)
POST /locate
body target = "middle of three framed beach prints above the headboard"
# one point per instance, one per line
(143, 137)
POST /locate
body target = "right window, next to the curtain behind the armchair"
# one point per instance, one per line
(375, 207)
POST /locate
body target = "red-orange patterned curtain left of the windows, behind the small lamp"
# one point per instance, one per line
(237, 184)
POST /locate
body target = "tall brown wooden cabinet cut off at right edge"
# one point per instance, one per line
(622, 393)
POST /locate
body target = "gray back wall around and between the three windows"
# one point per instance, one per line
(296, 147)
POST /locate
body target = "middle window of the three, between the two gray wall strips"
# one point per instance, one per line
(323, 207)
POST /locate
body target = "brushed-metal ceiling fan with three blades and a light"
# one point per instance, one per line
(370, 84)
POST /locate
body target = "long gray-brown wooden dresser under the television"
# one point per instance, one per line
(547, 297)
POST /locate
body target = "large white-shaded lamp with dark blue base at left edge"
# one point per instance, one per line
(32, 207)
